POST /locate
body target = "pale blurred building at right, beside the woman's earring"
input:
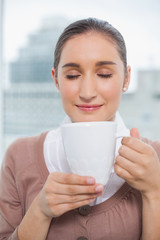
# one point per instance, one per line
(141, 109)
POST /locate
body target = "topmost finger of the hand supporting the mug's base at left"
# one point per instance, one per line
(72, 179)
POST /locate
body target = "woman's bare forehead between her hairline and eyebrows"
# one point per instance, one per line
(89, 46)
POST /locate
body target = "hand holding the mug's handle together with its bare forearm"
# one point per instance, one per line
(139, 165)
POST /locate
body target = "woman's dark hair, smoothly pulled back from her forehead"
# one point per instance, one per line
(88, 25)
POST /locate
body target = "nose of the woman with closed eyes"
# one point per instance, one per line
(88, 89)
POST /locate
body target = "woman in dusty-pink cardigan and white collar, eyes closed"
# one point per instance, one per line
(39, 197)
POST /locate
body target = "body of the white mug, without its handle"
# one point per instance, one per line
(90, 148)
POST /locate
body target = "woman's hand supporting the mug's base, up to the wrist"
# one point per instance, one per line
(63, 192)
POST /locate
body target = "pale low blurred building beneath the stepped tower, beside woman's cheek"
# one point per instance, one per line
(31, 109)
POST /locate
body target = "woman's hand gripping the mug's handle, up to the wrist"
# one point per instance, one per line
(138, 164)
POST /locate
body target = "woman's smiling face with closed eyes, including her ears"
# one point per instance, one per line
(90, 78)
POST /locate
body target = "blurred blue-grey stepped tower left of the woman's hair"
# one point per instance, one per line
(35, 60)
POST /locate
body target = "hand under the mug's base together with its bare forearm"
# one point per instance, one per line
(61, 193)
